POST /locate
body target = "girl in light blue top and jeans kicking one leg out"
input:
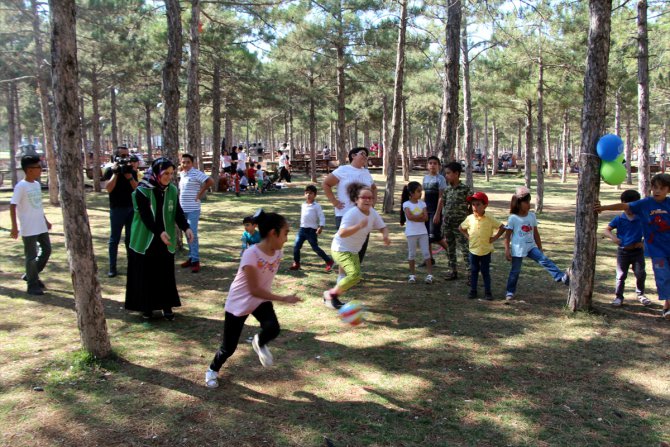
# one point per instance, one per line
(522, 239)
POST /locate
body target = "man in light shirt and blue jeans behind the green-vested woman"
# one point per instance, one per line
(193, 184)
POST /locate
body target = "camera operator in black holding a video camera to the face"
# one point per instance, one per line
(122, 181)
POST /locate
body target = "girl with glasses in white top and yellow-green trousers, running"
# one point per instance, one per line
(357, 223)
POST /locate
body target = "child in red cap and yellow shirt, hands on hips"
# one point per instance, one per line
(481, 230)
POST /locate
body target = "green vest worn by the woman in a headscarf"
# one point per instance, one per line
(140, 235)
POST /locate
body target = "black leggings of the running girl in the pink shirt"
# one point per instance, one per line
(232, 329)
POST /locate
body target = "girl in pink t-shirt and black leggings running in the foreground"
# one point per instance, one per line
(250, 293)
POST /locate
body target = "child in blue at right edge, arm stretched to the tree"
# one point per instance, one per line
(654, 212)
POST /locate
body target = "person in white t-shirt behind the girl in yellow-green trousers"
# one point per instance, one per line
(355, 172)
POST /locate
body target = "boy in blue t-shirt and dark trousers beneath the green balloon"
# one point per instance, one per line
(630, 250)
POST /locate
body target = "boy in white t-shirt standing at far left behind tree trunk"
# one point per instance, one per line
(27, 203)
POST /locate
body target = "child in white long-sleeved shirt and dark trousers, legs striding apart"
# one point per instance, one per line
(312, 221)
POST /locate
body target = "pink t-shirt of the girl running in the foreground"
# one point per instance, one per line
(240, 301)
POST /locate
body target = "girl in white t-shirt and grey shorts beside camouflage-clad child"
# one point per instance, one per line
(415, 214)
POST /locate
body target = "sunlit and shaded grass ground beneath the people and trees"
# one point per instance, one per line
(428, 368)
